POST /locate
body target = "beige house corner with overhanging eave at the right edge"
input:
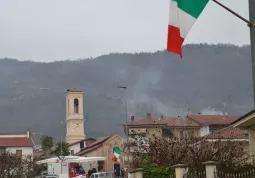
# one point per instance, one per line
(247, 122)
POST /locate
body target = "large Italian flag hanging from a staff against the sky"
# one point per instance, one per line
(183, 14)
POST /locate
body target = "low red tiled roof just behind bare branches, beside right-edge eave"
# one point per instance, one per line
(228, 133)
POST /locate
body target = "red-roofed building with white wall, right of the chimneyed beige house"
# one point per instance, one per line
(212, 123)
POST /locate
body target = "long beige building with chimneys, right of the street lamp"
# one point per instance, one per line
(141, 130)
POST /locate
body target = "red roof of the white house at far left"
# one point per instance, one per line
(16, 142)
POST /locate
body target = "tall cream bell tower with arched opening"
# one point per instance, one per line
(74, 115)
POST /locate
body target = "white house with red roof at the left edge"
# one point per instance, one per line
(19, 144)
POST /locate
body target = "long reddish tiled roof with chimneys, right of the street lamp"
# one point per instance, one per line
(168, 121)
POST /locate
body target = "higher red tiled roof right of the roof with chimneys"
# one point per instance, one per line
(213, 119)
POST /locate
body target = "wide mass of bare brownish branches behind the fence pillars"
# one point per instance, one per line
(193, 152)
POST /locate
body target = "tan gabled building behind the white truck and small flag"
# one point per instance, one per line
(103, 147)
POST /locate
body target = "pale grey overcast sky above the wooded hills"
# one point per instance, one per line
(50, 30)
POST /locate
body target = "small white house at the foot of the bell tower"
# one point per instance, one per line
(80, 145)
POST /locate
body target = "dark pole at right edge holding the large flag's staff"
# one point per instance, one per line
(252, 38)
